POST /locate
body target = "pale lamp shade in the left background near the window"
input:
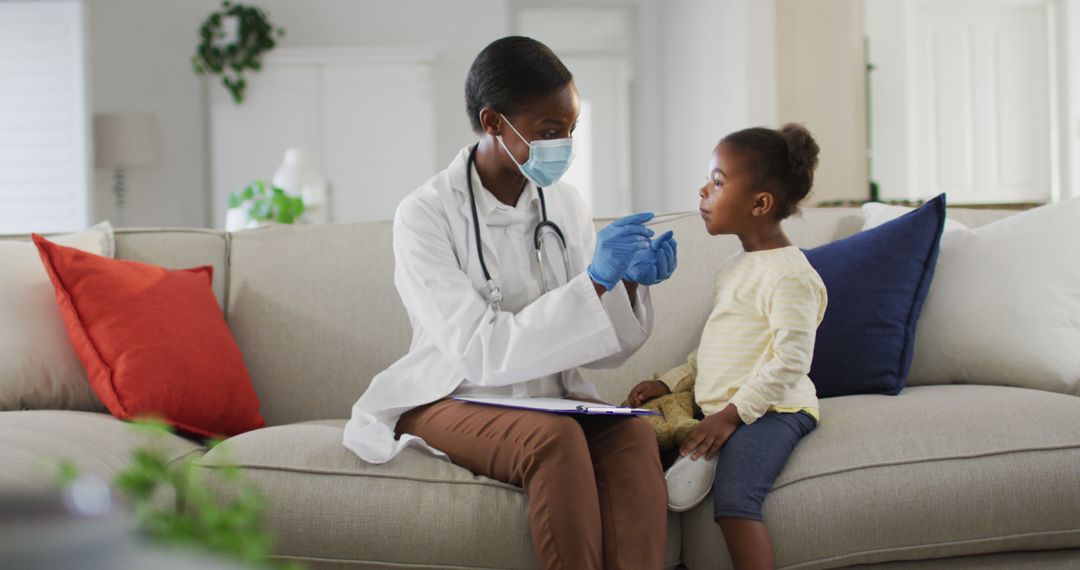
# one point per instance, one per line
(127, 140)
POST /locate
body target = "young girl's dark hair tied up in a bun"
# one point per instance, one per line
(782, 162)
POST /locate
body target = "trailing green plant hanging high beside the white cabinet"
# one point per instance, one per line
(233, 42)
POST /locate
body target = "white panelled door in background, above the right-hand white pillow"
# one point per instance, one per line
(982, 107)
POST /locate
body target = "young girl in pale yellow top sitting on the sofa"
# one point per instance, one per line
(749, 374)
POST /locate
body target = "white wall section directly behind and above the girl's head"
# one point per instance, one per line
(717, 72)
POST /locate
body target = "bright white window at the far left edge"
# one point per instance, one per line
(44, 132)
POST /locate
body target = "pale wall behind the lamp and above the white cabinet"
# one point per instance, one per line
(140, 61)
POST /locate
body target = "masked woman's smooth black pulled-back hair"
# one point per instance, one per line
(511, 73)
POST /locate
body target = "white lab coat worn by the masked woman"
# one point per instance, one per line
(457, 335)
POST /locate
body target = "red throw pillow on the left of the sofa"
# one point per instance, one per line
(154, 342)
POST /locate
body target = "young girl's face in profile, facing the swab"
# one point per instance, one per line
(727, 199)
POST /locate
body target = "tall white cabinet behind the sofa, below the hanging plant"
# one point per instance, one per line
(366, 117)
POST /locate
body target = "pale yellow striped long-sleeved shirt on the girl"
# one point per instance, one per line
(758, 345)
